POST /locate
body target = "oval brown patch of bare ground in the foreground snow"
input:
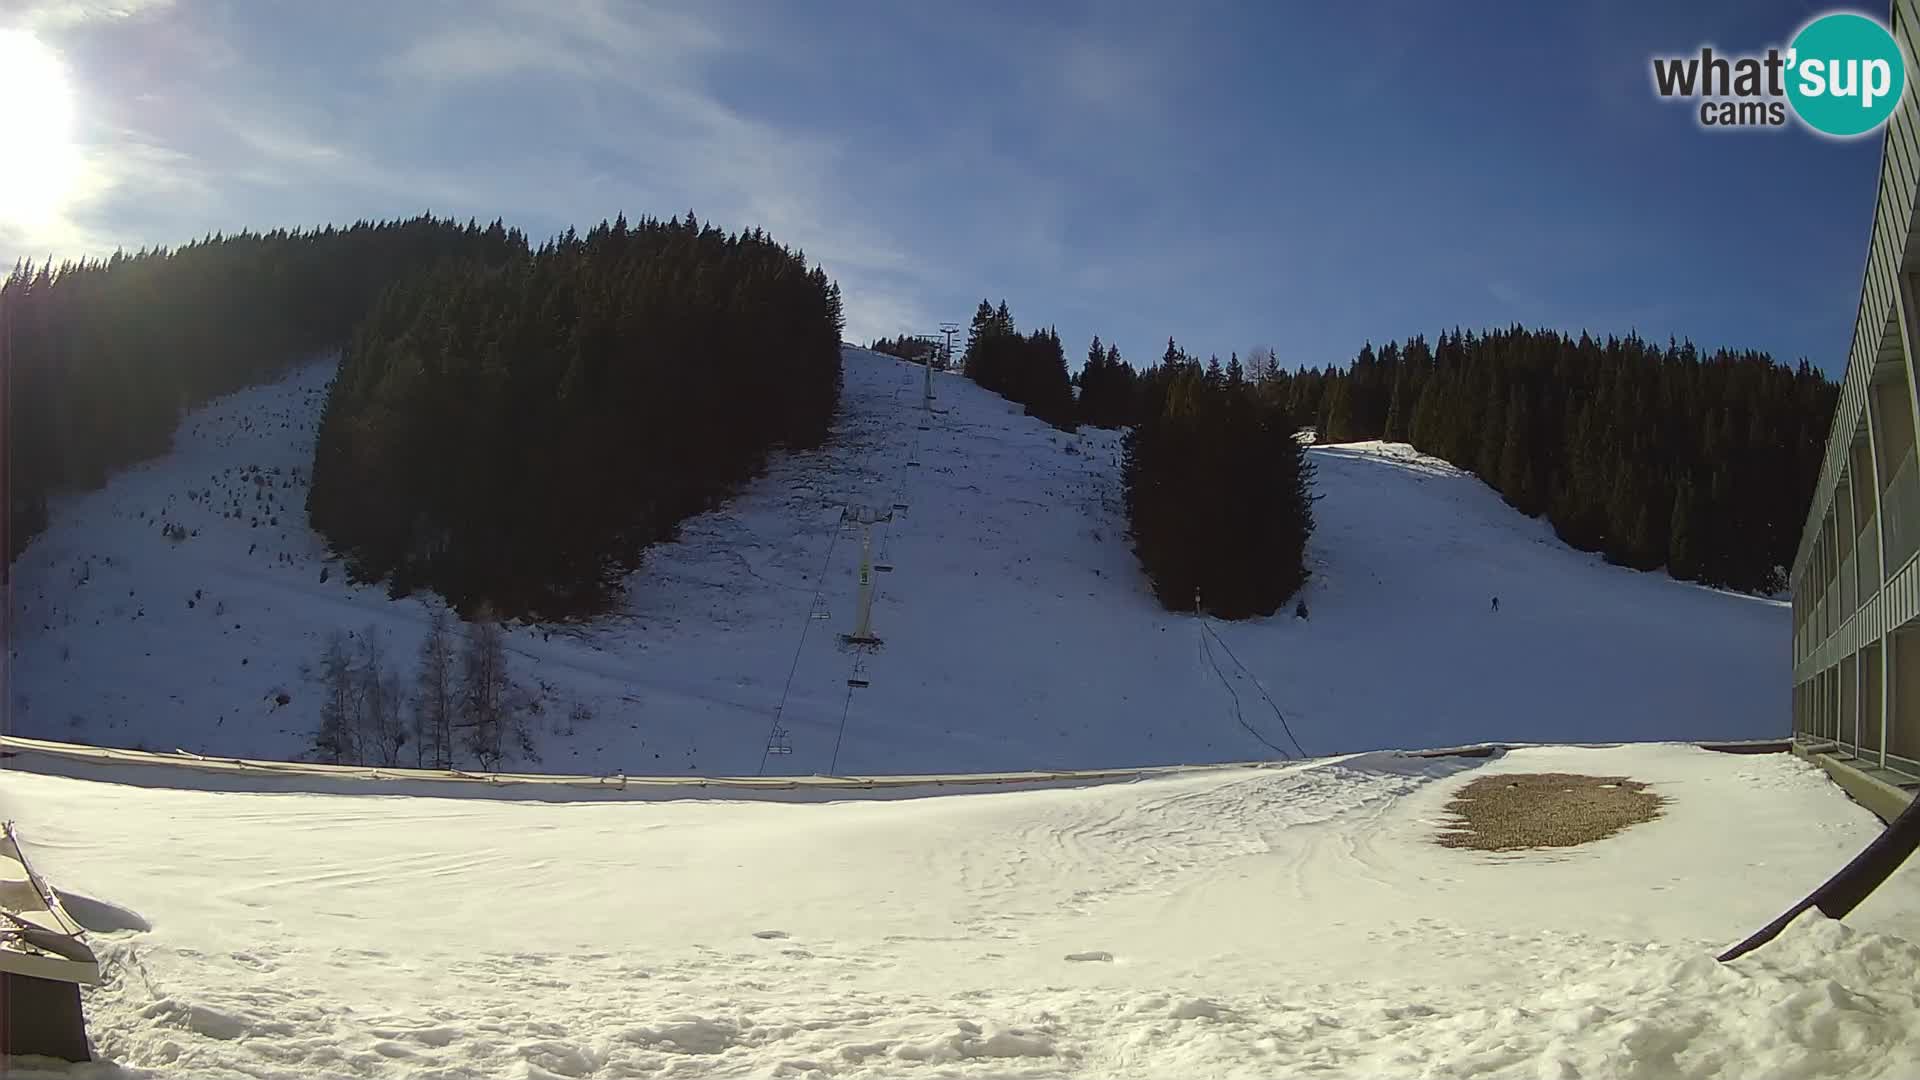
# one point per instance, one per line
(1545, 810)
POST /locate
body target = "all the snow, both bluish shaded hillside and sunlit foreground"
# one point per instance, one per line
(1249, 921)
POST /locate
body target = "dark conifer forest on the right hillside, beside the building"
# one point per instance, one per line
(1654, 456)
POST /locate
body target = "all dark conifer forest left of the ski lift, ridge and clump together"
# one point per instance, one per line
(508, 426)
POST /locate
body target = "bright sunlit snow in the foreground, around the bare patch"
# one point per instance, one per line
(1280, 921)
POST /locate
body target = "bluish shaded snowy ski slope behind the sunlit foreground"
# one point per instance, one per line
(1017, 627)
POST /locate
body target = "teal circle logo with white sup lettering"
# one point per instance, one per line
(1846, 74)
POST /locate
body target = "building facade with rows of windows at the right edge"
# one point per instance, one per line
(1856, 579)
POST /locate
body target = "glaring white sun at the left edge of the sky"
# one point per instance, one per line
(36, 134)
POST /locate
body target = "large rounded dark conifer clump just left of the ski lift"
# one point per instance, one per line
(519, 431)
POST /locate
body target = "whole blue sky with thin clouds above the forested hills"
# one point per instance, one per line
(1301, 176)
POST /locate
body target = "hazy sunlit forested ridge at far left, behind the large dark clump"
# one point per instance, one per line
(105, 356)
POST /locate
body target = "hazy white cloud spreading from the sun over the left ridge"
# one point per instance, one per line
(621, 114)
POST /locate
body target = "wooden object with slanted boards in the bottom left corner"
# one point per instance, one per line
(43, 964)
